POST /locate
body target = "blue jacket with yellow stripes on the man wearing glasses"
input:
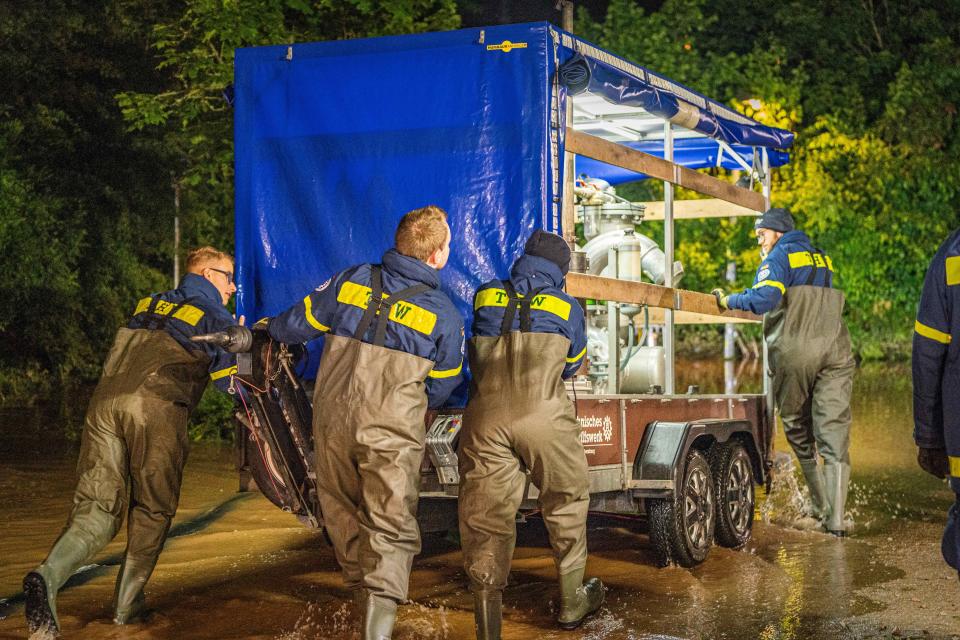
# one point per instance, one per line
(191, 309)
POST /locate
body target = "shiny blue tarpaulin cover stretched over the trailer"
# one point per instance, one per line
(335, 141)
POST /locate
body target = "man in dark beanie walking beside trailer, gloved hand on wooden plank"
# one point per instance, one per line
(809, 354)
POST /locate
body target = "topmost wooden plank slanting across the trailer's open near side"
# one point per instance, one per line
(619, 155)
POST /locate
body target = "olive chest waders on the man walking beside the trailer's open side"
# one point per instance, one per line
(812, 366)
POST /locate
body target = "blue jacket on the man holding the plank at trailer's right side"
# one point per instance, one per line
(792, 262)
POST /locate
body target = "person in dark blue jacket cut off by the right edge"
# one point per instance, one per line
(936, 381)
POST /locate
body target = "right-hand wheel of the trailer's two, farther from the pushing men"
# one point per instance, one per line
(733, 477)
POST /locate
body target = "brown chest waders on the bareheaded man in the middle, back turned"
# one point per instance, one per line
(369, 406)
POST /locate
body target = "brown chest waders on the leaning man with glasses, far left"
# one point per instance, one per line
(134, 439)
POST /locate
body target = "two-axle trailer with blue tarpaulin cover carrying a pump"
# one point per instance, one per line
(509, 129)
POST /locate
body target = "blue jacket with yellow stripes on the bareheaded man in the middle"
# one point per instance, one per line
(427, 325)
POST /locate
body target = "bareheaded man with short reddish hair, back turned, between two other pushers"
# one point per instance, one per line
(393, 348)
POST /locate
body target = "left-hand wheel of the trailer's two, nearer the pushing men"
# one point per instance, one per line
(681, 529)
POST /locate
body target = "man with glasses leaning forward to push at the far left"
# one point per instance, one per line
(135, 436)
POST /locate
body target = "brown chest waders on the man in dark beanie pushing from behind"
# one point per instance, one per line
(518, 418)
